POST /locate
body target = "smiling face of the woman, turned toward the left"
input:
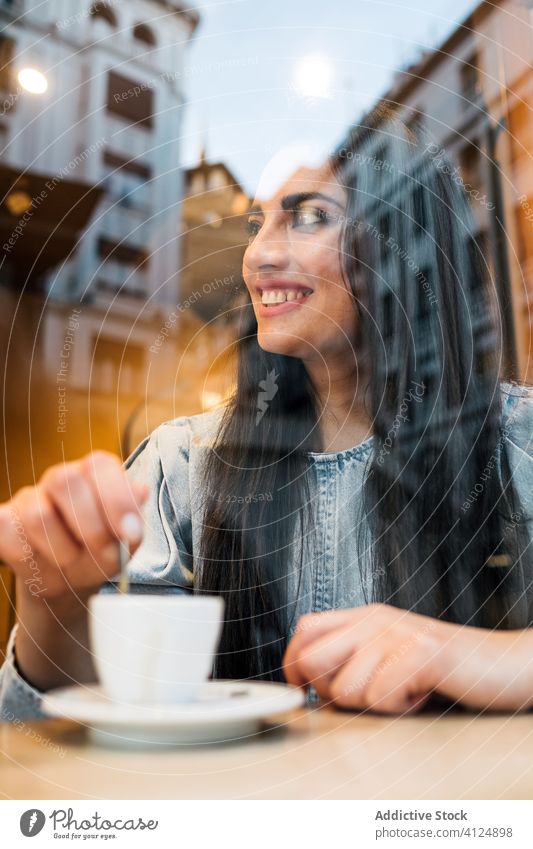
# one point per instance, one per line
(293, 260)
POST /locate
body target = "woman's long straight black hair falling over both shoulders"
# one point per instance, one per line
(448, 536)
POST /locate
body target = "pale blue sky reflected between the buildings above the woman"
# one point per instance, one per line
(244, 100)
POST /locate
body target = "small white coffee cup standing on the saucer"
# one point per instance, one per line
(154, 648)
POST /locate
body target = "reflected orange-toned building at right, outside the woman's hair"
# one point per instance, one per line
(473, 98)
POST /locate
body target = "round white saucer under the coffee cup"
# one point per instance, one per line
(224, 710)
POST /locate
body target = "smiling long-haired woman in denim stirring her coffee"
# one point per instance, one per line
(361, 503)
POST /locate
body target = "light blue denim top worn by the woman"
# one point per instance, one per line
(169, 461)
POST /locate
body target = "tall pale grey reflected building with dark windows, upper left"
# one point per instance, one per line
(111, 117)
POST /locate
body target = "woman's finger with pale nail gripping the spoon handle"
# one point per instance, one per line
(118, 498)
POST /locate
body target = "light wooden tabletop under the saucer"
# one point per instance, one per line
(320, 754)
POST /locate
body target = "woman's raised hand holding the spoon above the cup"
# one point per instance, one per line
(60, 536)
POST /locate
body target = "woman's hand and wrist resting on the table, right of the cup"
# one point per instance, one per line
(386, 659)
